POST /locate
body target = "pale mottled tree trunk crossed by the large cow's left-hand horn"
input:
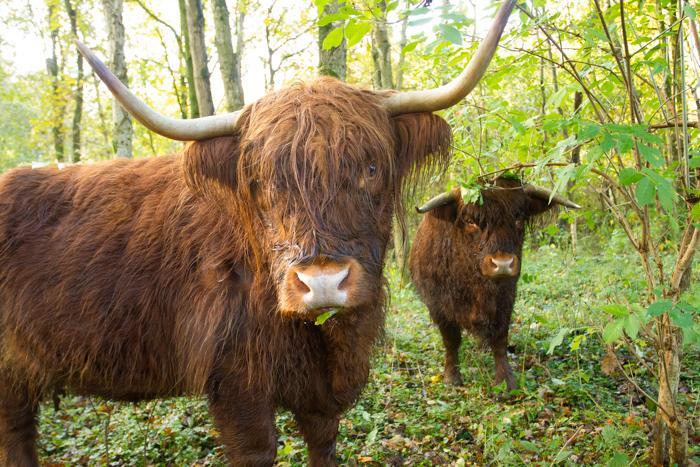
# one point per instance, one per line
(123, 131)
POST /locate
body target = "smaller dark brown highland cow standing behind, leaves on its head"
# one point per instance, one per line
(465, 264)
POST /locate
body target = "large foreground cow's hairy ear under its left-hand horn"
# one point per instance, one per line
(210, 166)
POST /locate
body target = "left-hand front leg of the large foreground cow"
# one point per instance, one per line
(247, 427)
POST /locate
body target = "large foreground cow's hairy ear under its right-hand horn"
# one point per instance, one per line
(423, 142)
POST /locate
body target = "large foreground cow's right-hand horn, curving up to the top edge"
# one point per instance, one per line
(451, 93)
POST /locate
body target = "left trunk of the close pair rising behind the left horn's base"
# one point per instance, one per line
(195, 26)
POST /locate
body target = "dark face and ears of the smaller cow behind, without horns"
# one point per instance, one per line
(494, 230)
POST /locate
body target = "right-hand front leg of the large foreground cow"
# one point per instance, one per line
(319, 433)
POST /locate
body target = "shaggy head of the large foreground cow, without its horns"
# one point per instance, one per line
(317, 177)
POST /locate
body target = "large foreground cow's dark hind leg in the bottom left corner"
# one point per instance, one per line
(18, 430)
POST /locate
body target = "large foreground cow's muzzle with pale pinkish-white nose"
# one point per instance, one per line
(323, 283)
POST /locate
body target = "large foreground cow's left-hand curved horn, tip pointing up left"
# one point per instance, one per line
(183, 130)
